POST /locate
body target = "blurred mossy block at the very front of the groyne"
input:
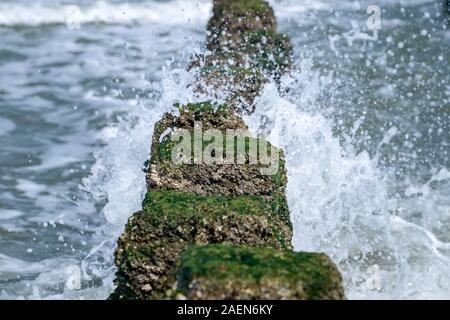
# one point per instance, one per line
(240, 272)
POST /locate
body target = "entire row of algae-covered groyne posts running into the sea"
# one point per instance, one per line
(215, 224)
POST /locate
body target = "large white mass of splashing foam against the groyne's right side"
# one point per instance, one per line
(340, 204)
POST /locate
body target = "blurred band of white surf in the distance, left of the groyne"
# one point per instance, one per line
(172, 13)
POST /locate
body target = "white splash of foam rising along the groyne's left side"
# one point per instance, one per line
(117, 174)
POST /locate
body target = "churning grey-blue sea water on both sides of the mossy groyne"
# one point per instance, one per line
(364, 127)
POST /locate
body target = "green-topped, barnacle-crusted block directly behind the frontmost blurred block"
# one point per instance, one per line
(171, 221)
